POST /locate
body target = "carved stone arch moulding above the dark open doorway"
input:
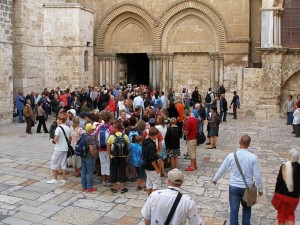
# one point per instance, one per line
(133, 9)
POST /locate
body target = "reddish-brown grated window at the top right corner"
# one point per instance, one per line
(290, 24)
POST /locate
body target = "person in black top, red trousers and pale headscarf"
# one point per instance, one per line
(287, 189)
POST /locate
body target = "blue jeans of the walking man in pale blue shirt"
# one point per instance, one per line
(235, 199)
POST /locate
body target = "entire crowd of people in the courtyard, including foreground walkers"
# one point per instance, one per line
(133, 133)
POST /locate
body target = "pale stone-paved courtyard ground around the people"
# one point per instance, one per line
(26, 198)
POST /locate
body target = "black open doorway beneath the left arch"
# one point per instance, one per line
(137, 69)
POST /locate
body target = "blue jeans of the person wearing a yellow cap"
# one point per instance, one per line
(87, 172)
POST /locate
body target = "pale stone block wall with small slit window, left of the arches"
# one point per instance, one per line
(50, 40)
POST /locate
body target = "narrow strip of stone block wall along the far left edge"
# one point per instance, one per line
(6, 54)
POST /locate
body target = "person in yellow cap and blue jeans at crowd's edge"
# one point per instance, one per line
(88, 162)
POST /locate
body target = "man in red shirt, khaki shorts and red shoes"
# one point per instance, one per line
(191, 131)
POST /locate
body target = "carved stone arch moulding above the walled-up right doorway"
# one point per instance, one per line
(201, 6)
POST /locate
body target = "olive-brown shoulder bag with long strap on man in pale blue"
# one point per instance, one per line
(250, 195)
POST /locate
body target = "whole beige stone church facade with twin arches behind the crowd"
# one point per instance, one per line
(173, 43)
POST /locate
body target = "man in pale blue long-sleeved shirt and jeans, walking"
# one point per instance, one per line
(250, 168)
